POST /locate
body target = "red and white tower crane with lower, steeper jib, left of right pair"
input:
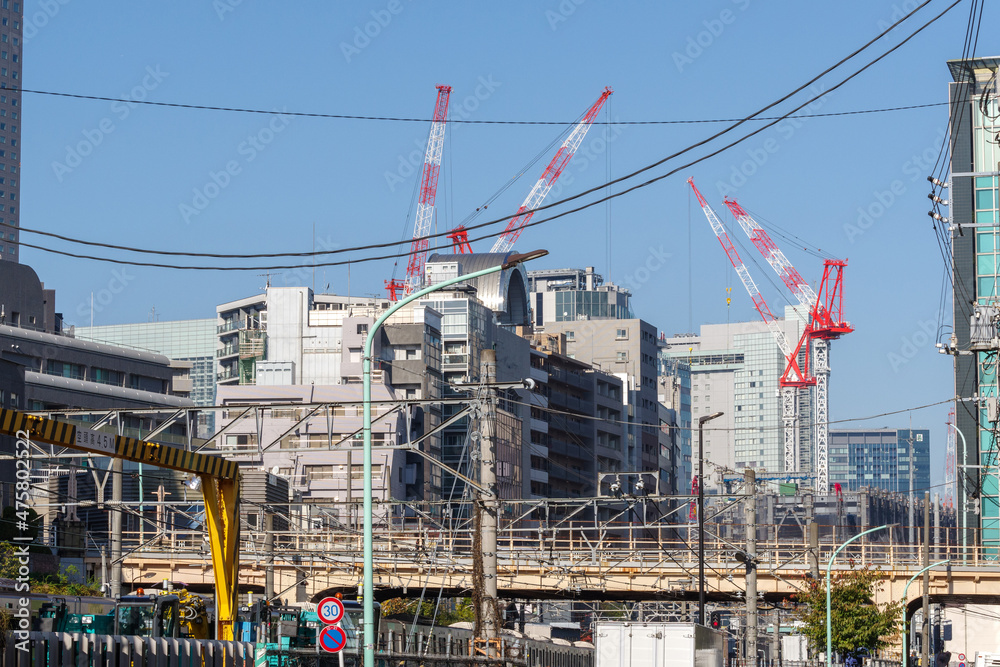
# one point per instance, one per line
(796, 375)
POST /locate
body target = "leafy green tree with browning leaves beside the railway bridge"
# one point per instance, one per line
(857, 622)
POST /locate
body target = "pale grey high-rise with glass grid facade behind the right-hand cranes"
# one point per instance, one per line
(735, 368)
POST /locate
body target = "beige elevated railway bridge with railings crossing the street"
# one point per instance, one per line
(631, 558)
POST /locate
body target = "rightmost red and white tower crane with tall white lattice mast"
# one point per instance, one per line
(825, 323)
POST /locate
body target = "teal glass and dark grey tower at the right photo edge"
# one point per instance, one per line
(975, 237)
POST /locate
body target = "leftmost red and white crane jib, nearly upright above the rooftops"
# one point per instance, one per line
(425, 203)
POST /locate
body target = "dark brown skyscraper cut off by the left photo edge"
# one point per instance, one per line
(11, 68)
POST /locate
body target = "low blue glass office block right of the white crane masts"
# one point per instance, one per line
(890, 459)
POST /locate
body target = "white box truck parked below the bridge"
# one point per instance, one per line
(626, 644)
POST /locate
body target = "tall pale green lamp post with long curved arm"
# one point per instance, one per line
(368, 587)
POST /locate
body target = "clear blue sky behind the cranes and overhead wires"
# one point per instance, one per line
(211, 181)
